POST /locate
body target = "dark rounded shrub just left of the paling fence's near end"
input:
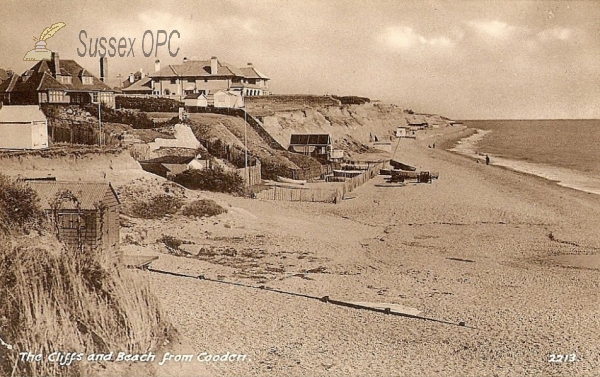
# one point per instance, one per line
(215, 179)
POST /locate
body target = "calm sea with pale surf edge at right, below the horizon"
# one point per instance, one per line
(564, 151)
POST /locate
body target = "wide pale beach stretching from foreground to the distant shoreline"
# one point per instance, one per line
(479, 245)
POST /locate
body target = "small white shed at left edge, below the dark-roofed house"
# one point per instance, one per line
(23, 127)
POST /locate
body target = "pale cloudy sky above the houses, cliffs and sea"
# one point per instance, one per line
(462, 59)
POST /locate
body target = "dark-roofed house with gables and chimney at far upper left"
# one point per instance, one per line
(57, 81)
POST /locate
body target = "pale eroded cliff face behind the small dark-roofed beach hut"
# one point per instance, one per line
(348, 125)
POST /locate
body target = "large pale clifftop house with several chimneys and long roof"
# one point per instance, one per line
(207, 77)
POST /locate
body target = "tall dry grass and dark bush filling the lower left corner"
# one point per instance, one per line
(59, 300)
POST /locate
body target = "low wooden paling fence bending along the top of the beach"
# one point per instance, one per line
(324, 195)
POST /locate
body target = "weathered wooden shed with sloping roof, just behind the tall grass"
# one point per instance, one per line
(86, 214)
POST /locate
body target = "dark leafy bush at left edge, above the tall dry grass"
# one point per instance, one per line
(19, 206)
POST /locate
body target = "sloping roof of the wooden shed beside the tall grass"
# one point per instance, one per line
(88, 193)
